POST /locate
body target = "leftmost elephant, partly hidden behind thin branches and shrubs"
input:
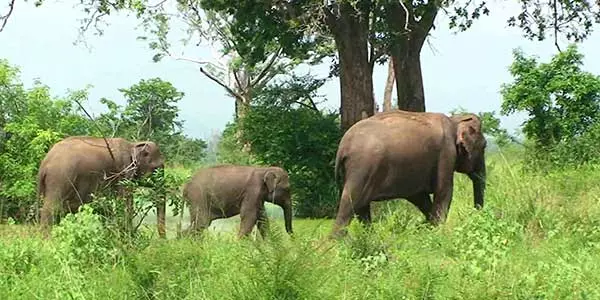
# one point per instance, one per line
(77, 166)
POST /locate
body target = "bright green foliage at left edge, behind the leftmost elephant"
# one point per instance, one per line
(32, 122)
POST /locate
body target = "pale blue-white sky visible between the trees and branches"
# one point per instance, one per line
(465, 69)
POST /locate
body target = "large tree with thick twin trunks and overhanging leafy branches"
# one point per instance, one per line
(363, 32)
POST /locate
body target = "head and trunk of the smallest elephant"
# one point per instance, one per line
(277, 184)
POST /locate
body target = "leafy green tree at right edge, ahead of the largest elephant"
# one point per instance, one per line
(563, 104)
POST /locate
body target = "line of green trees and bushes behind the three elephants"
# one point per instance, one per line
(284, 126)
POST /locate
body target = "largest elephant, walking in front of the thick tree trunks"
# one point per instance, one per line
(401, 154)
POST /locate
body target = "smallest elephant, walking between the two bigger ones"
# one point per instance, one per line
(227, 190)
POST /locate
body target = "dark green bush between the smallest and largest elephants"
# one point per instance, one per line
(286, 129)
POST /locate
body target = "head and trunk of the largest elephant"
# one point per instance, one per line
(470, 148)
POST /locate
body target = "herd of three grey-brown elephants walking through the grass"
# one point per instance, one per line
(394, 154)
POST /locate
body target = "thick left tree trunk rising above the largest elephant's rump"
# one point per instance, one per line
(356, 72)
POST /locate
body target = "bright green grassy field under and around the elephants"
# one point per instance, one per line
(537, 238)
